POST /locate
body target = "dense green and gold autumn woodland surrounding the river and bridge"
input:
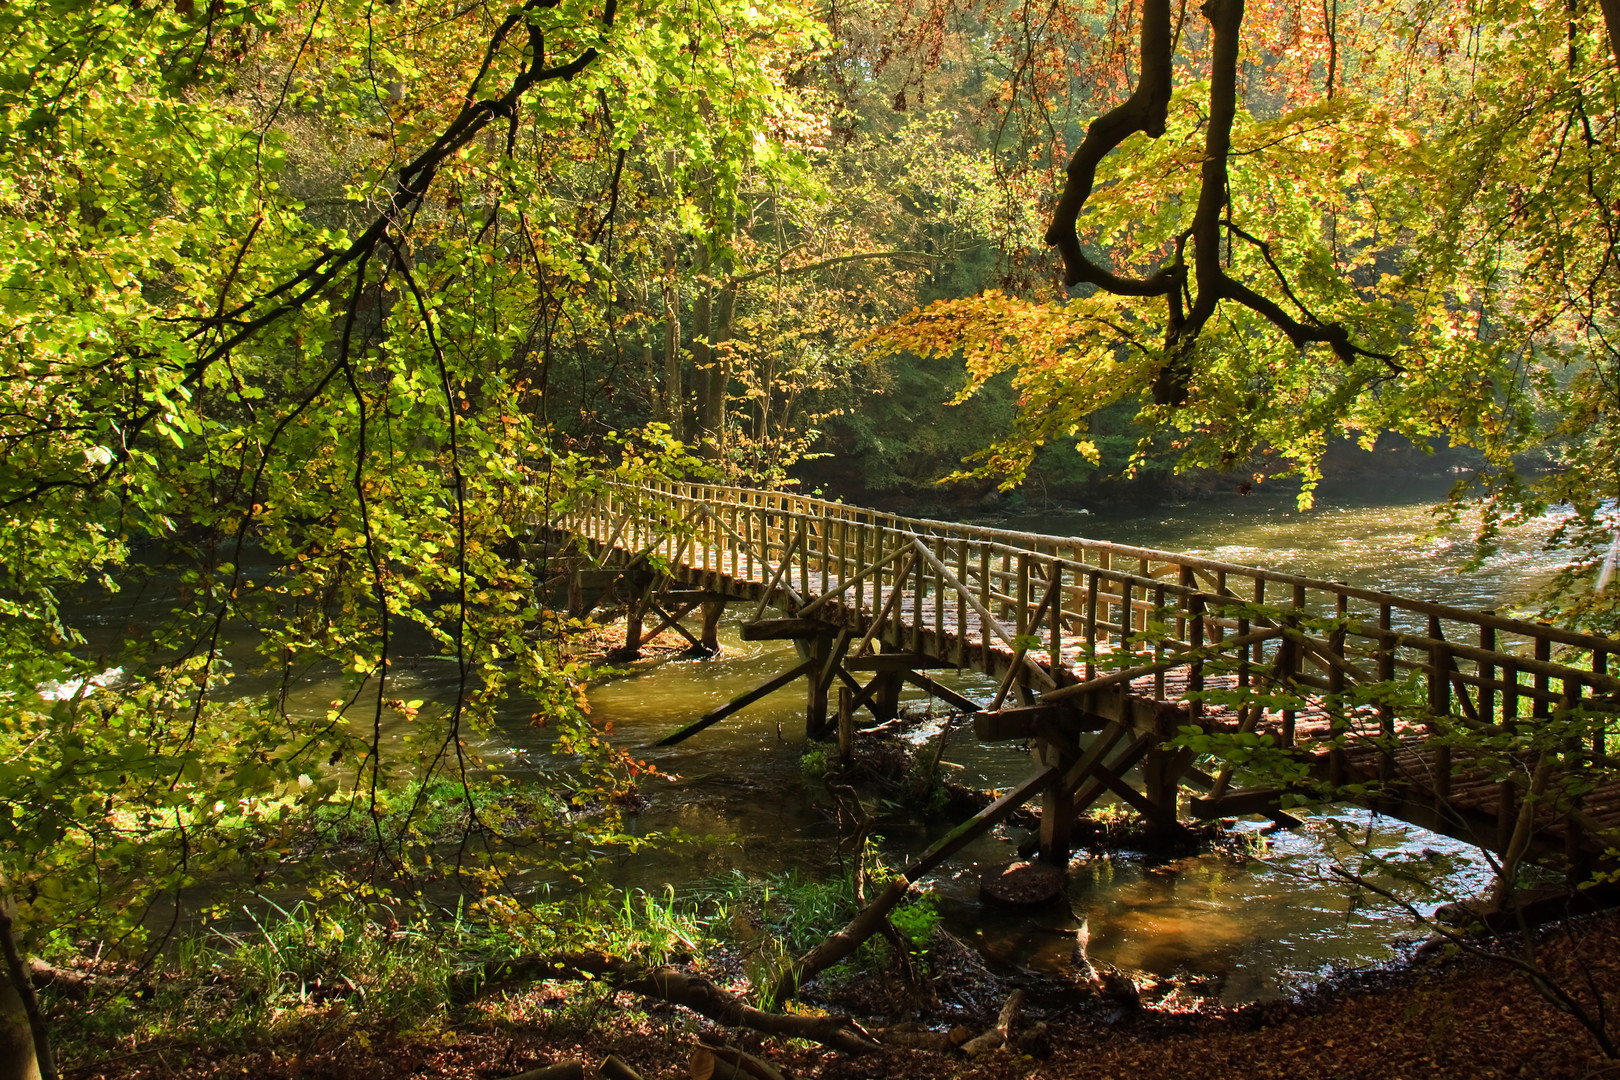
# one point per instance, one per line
(307, 305)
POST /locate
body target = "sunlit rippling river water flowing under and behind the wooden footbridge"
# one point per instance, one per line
(1234, 927)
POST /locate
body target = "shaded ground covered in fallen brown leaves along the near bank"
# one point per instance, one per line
(1436, 1018)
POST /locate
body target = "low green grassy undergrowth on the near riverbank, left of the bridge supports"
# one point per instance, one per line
(262, 974)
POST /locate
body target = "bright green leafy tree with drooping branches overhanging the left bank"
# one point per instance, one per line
(281, 292)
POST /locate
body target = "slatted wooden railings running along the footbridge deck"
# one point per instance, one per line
(1072, 614)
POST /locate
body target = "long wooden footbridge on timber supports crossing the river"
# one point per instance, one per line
(1494, 731)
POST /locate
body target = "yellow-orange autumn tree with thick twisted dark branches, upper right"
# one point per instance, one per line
(1297, 224)
